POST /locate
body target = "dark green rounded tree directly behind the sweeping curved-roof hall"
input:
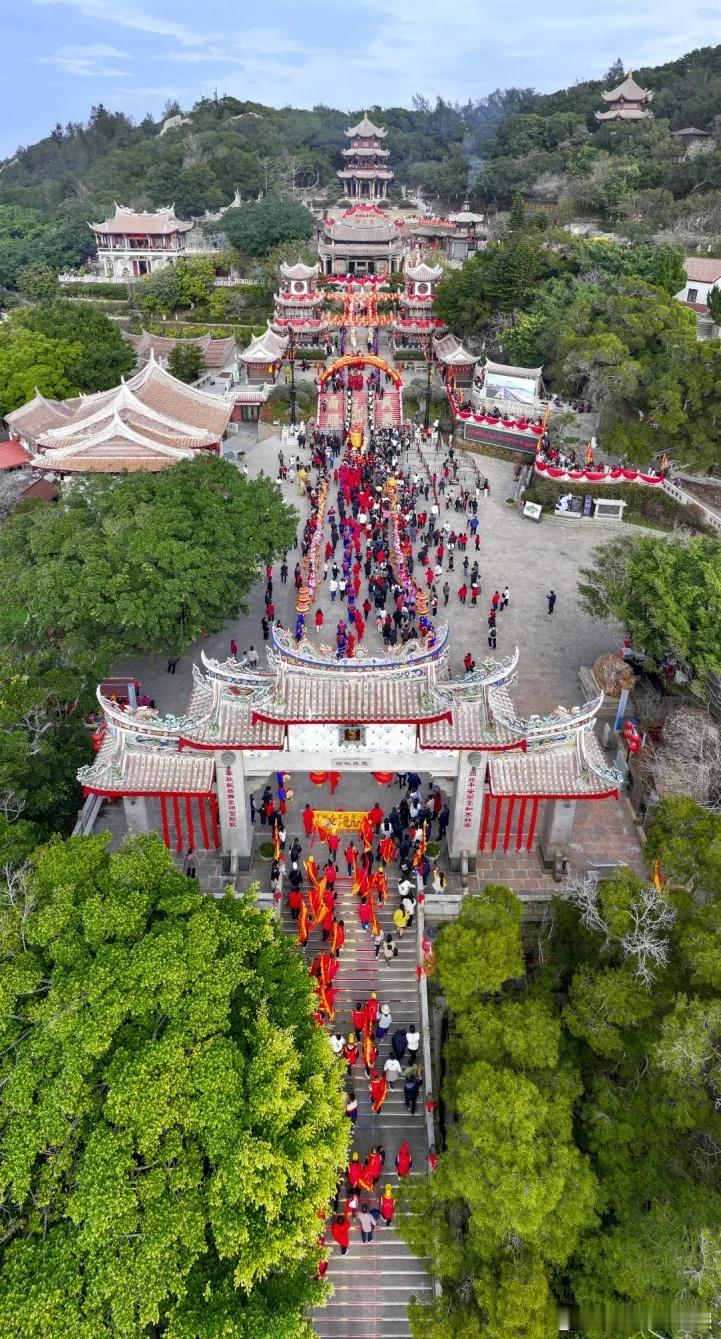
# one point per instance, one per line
(105, 356)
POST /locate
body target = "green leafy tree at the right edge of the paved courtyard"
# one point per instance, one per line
(668, 597)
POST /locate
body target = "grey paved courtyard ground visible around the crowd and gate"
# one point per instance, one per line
(531, 559)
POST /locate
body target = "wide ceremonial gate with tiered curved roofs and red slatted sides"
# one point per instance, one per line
(191, 777)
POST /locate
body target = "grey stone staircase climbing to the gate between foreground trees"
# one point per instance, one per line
(375, 1283)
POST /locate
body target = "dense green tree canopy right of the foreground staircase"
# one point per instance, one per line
(582, 1103)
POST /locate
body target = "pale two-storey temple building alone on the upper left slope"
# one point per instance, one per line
(132, 244)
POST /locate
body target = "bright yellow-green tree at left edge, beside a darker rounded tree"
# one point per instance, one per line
(31, 362)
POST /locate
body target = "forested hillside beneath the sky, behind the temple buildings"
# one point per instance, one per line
(549, 145)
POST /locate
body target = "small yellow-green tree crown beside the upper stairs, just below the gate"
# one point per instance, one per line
(483, 946)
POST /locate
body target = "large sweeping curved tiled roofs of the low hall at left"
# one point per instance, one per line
(147, 424)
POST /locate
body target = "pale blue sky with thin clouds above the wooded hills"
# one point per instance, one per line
(61, 57)
